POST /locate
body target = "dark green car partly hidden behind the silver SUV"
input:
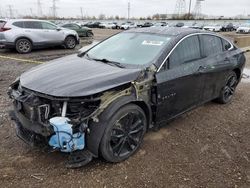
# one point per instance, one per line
(81, 30)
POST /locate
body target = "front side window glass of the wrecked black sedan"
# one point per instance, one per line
(188, 50)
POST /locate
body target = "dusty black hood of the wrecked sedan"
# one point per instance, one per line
(73, 76)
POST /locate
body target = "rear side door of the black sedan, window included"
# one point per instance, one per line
(217, 64)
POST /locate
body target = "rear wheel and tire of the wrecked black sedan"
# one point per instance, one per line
(228, 90)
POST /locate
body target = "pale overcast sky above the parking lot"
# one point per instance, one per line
(139, 8)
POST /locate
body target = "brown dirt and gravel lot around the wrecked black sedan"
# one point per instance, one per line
(208, 147)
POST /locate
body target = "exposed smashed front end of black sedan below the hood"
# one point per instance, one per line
(33, 116)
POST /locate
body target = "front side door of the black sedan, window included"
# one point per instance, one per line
(179, 83)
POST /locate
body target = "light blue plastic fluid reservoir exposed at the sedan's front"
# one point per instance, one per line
(64, 139)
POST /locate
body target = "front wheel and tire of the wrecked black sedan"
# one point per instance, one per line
(124, 134)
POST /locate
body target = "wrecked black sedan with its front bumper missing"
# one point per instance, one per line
(102, 102)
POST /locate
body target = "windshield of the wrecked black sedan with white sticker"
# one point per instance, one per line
(130, 48)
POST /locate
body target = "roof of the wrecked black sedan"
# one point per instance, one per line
(169, 31)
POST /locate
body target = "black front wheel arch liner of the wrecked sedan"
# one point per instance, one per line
(97, 128)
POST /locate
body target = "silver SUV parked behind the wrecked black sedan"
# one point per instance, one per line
(27, 34)
